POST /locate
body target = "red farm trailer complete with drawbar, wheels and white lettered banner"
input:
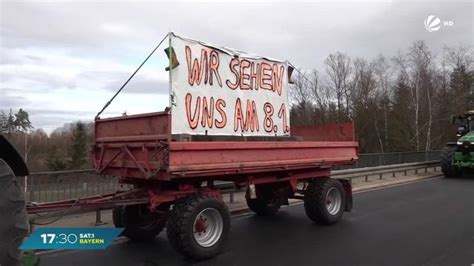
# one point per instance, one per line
(175, 167)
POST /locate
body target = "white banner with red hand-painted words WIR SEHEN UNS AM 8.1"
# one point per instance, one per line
(219, 91)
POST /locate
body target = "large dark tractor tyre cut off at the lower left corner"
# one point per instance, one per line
(14, 224)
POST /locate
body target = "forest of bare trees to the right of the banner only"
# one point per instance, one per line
(402, 103)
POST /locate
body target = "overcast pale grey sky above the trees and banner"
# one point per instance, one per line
(61, 61)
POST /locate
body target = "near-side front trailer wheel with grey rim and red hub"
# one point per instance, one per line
(198, 226)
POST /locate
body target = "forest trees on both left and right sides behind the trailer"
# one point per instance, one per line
(399, 103)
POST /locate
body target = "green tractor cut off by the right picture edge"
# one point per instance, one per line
(458, 158)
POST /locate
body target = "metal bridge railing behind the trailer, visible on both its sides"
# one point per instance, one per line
(62, 185)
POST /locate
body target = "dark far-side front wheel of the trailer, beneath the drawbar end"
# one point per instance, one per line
(140, 224)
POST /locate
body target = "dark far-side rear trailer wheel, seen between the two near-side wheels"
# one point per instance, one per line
(266, 204)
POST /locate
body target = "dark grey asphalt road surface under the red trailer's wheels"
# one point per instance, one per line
(424, 223)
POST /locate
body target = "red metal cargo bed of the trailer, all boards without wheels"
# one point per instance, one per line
(140, 146)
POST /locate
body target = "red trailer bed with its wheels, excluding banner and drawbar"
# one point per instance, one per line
(174, 177)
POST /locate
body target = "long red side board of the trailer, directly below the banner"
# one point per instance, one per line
(206, 157)
